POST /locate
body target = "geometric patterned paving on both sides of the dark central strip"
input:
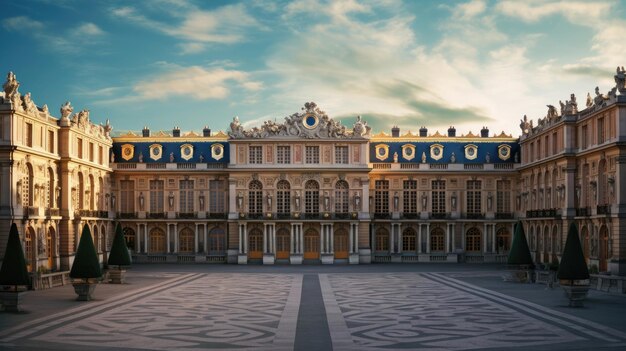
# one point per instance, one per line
(260, 311)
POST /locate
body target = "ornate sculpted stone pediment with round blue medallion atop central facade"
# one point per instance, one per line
(311, 123)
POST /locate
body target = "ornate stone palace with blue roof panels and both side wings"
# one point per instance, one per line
(309, 189)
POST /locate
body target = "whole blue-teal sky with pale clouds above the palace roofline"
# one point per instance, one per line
(191, 63)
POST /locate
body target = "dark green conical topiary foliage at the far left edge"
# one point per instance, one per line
(13, 271)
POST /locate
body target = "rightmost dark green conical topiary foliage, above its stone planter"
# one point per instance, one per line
(573, 265)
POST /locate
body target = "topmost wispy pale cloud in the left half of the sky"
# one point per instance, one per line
(225, 25)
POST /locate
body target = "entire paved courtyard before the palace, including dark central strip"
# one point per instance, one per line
(284, 308)
